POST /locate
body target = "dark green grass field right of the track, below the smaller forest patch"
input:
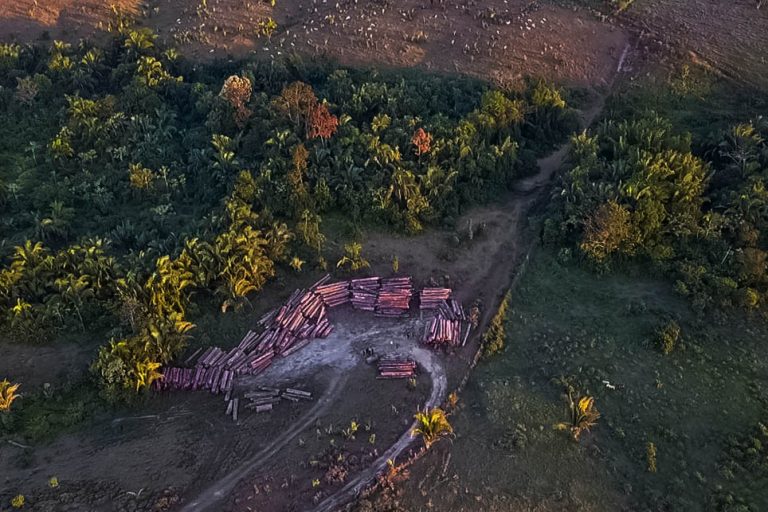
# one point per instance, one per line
(700, 405)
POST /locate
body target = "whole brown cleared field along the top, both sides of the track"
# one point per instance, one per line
(501, 41)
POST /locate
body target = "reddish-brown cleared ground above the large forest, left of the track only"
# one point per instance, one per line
(500, 40)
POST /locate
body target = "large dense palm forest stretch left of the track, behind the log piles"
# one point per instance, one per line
(132, 180)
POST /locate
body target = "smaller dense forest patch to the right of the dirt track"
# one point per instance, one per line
(638, 190)
